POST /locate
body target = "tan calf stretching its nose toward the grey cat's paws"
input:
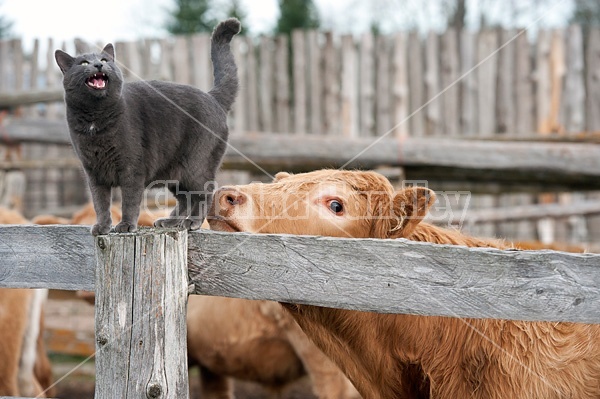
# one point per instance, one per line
(408, 356)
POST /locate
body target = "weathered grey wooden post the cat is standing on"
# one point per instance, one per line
(141, 296)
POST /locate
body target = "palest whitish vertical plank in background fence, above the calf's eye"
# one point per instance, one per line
(349, 95)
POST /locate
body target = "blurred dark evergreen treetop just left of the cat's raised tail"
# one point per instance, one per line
(191, 16)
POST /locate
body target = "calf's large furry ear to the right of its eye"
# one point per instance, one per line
(410, 207)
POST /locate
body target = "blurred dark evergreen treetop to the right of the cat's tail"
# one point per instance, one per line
(296, 14)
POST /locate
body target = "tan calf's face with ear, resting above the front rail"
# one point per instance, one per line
(326, 202)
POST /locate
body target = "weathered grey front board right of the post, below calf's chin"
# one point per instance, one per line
(398, 276)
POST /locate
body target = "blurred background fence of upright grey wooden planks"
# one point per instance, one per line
(493, 83)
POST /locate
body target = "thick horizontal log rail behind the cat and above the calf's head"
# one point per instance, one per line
(285, 151)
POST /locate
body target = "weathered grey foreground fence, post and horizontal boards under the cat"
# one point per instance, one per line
(142, 281)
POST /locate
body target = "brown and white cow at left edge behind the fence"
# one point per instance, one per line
(24, 365)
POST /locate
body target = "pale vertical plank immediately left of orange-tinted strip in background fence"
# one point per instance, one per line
(543, 82)
